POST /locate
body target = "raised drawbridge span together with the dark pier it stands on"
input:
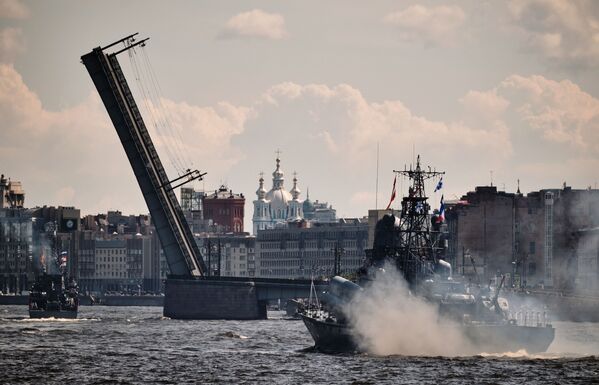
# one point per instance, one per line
(189, 294)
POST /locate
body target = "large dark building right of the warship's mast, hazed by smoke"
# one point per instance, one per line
(530, 238)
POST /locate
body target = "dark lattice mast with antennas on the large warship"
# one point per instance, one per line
(416, 255)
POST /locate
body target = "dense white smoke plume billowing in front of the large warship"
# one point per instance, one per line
(386, 319)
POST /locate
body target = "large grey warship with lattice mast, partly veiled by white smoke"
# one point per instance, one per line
(413, 244)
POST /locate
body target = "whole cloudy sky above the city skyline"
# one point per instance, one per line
(486, 91)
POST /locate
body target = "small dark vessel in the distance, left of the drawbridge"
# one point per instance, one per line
(50, 297)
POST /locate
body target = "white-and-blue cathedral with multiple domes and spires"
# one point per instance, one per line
(277, 206)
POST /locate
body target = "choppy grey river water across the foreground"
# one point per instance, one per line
(130, 345)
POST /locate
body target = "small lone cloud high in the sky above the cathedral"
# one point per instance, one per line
(255, 24)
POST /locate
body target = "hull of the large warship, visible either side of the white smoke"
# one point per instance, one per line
(331, 337)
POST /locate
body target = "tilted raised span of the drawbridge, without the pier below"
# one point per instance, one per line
(182, 253)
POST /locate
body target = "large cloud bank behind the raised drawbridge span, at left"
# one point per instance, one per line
(78, 147)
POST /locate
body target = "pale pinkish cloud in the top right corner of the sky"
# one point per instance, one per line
(564, 31)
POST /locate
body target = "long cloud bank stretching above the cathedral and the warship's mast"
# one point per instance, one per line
(358, 123)
